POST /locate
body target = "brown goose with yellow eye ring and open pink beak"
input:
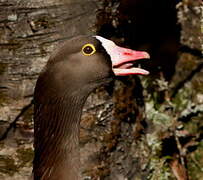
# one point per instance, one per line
(72, 72)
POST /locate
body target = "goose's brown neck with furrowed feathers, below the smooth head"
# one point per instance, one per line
(57, 139)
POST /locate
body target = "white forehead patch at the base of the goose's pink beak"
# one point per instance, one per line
(107, 44)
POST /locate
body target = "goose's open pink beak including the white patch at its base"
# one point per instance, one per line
(122, 58)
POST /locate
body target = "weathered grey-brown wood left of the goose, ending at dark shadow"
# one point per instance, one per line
(29, 32)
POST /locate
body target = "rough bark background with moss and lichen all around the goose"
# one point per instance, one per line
(140, 128)
